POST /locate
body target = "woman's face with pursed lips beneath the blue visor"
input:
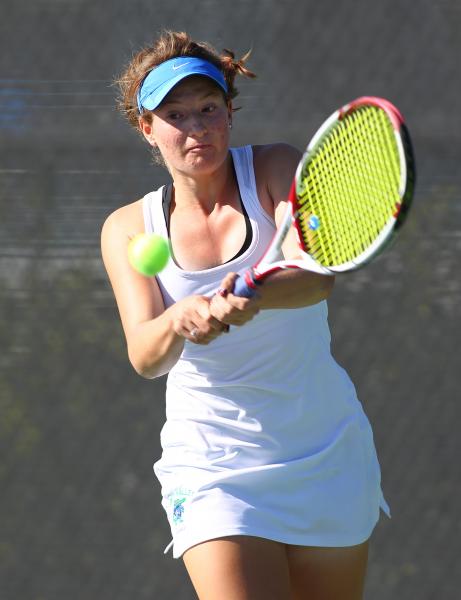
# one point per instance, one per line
(191, 127)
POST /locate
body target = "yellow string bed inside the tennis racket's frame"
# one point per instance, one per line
(351, 183)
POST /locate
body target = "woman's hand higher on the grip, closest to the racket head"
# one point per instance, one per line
(230, 309)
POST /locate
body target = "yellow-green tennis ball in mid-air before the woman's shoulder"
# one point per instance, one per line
(148, 253)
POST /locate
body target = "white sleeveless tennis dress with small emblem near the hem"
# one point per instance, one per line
(264, 433)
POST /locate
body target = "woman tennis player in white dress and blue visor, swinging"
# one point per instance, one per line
(269, 474)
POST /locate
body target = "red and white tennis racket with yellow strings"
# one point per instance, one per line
(350, 194)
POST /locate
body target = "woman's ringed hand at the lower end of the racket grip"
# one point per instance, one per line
(193, 321)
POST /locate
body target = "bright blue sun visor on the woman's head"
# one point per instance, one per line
(163, 78)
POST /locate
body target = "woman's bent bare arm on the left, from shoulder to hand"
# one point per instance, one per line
(155, 336)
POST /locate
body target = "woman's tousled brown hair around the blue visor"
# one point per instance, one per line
(171, 44)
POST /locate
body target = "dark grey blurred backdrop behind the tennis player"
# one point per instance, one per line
(79, 430)
